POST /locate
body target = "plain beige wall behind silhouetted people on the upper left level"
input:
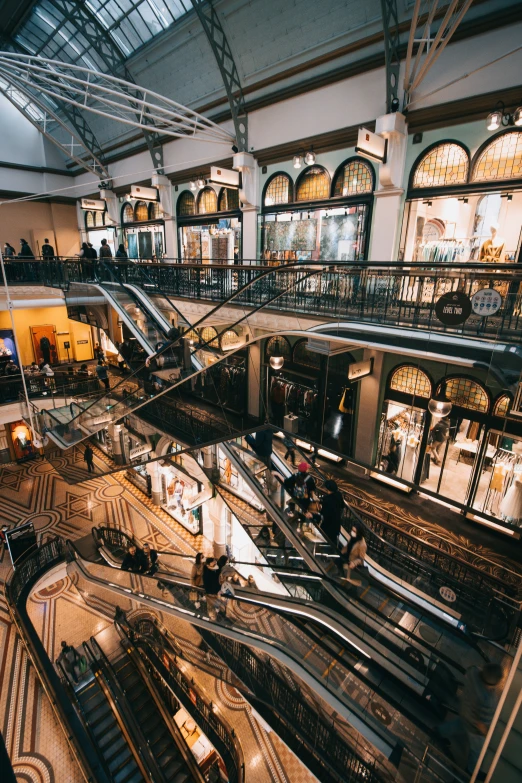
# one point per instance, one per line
(35, 221)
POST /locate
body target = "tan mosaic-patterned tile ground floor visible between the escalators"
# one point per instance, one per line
(35, 742)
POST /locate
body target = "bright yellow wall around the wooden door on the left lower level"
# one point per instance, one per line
(66, 331)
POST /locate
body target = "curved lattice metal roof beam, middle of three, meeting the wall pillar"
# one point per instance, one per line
(223, 53)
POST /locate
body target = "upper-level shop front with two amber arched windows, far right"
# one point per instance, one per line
(461, 209)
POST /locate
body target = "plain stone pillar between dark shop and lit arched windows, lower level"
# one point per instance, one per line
(367, 425)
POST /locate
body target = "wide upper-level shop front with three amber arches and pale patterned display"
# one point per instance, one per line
(315, 218)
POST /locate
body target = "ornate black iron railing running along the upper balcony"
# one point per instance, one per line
(394, 294)
